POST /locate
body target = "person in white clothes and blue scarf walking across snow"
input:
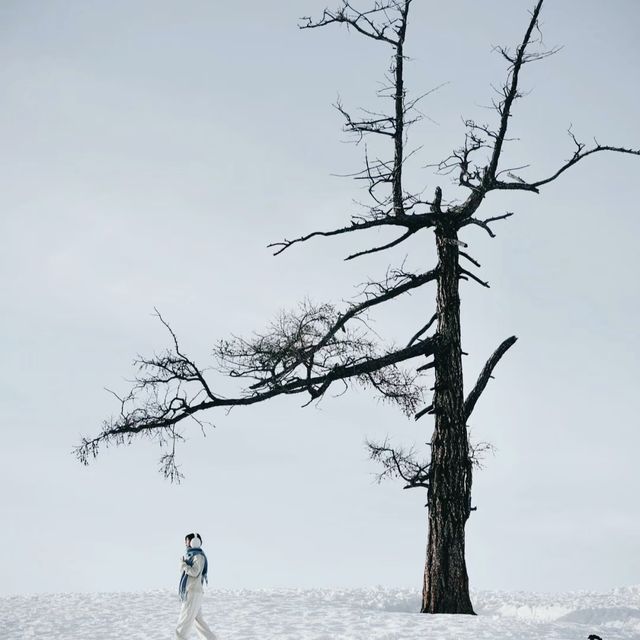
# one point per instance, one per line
(194, 567)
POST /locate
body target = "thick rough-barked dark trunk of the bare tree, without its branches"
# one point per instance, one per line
(446, 583)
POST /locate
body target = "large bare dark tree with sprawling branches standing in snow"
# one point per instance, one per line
(317, 346)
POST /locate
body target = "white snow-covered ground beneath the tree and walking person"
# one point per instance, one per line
(323, 614)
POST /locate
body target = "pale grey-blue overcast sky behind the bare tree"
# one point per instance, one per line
(152, 149)
